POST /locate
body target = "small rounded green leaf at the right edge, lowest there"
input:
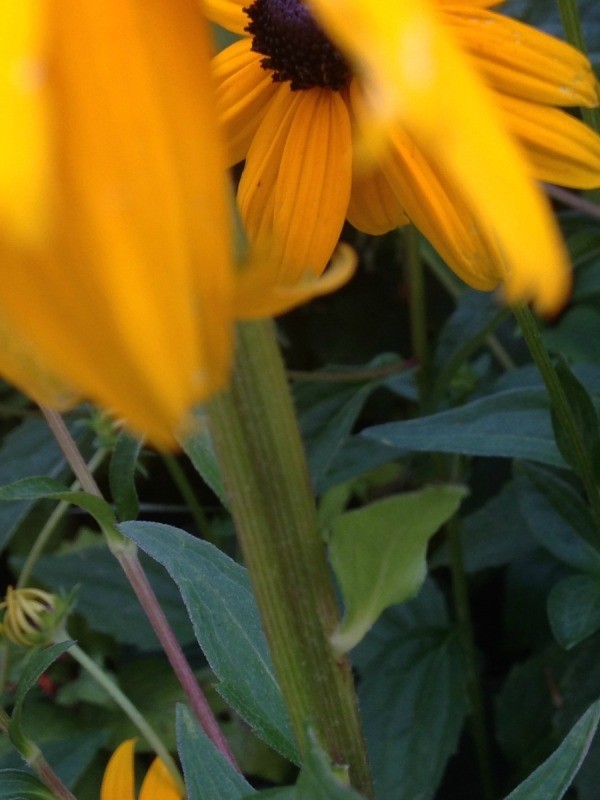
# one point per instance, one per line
(574, 609)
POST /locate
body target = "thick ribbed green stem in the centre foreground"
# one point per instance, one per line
(260, 452)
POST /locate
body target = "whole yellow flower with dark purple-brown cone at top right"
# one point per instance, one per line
(457, 103)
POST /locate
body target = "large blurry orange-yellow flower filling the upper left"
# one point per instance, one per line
(117, 278)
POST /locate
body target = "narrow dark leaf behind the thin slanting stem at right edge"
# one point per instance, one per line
(585, 418)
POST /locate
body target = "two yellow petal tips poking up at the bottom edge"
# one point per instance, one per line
(118, 782)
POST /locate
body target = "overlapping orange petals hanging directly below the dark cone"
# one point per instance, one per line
(295, 189)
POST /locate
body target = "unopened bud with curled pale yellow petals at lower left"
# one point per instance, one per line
(31, 616)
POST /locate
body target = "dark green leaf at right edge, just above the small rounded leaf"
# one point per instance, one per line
(558, 517)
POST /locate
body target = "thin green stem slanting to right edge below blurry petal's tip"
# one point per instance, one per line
(564, 414)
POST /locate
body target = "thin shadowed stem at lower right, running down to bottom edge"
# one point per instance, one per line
(474, 689)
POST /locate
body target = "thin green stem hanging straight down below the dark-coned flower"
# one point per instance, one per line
(418, 307)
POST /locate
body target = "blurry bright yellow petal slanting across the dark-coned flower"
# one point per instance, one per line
(416, 76)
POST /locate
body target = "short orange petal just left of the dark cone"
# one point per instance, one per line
(244, 90)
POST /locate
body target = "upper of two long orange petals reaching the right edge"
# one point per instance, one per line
(520, 60)
